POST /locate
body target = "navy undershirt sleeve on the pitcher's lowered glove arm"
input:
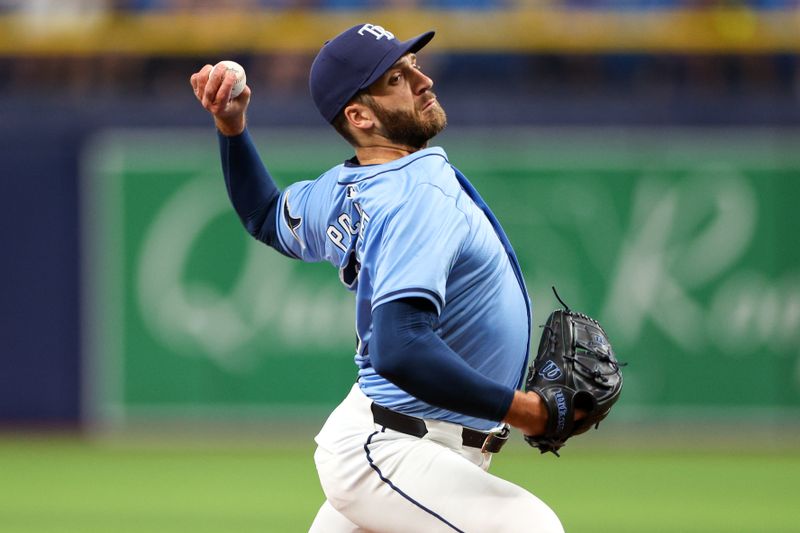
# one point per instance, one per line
(406, 350)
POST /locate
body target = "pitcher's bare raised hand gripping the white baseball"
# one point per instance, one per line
(214, 93)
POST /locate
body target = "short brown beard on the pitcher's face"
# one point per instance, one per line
(409, 128)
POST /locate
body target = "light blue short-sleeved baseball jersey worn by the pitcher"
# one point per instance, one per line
(409, 228)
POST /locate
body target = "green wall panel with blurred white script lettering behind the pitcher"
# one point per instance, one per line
(684, 243)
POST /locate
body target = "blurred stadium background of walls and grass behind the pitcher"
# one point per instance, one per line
(643, 155)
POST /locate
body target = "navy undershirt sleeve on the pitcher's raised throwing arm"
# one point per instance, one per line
(251, 189)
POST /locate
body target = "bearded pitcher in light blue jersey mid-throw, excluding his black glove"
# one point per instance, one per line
(442, 314)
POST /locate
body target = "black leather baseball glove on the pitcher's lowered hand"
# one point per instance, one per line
(575, 369)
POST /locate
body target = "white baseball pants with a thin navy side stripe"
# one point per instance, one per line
(377, 480)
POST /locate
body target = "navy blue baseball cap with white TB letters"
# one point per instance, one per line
(352, 61)
